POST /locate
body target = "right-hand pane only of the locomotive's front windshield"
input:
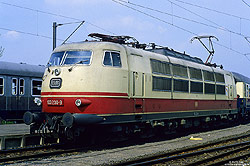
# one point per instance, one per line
(78, 57)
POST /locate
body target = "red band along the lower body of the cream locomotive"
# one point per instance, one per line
(116, 105)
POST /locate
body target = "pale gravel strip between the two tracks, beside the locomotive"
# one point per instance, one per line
(112, 156)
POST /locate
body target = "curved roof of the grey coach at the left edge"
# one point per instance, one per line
(21, 69)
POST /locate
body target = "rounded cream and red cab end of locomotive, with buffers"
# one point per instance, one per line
(82, 82)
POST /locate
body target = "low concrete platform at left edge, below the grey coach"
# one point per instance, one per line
(14, 129)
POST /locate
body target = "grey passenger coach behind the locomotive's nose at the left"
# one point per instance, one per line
(20, 84)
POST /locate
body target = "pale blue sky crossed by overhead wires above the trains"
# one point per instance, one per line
(26, 26)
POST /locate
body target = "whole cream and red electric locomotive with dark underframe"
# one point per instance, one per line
(127, 89)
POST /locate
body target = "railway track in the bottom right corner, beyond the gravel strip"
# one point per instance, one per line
(216, 153)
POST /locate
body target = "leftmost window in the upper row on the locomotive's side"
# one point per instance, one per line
(159, 67)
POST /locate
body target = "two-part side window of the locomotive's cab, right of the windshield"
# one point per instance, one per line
(112, 59)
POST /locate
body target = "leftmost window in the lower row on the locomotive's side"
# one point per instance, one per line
(161, 84)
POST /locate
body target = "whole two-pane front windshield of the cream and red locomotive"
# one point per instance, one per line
(71, 57)
